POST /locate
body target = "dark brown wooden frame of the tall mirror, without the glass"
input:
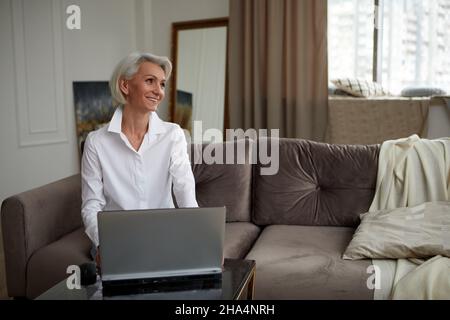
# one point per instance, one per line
(189, 25)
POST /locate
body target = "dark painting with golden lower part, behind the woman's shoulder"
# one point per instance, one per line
(93, 107)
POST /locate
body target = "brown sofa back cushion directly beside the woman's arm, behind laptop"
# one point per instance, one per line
(224, 184)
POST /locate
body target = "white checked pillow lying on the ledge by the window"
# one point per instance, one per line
(360, 88)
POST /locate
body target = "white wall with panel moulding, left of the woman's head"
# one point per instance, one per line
(29, 157)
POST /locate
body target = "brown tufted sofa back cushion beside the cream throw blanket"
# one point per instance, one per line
(317, 184)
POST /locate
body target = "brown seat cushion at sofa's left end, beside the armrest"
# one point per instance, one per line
(48, 265)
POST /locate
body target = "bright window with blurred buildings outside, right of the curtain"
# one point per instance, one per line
(412, 43)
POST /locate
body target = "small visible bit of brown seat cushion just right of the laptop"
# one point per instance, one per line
(239, 238)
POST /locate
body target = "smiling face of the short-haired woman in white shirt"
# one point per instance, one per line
(147, 87)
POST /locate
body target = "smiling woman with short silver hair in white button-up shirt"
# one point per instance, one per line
(133, 162)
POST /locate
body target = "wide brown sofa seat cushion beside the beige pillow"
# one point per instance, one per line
(303, 262)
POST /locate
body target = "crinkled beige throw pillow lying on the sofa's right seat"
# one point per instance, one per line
(414, 232)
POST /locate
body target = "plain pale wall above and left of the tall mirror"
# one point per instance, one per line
(165, 12)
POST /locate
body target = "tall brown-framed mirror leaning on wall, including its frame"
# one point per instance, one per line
(198, 83)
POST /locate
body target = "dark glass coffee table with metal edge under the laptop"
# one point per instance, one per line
(237, 283)
